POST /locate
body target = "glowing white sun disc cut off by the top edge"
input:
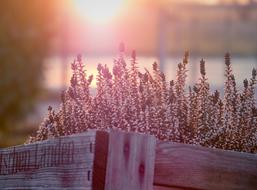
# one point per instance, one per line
(98, 11)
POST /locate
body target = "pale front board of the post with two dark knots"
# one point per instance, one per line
(130, 162)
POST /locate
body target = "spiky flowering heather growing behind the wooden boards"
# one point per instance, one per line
(129, 100)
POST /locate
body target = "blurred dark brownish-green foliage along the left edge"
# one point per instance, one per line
(26, 27)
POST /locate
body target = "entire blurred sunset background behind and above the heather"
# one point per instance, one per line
(40, 38)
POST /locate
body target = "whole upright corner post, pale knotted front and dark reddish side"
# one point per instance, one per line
(123, 161)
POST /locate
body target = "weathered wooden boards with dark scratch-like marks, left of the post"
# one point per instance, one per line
(61, 163)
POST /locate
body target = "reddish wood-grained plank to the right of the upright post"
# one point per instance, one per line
(195, 167)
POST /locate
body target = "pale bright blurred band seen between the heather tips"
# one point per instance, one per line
(242, 68)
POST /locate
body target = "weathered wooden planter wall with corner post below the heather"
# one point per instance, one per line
(123, 161)
